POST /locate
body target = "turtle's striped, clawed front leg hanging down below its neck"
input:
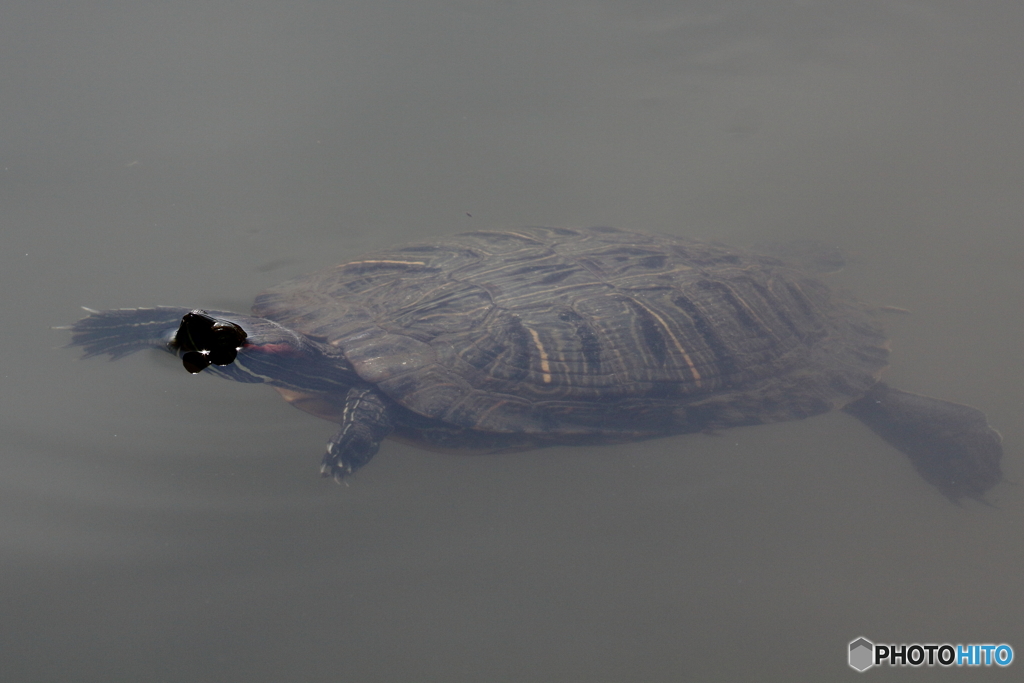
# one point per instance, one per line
(365, 423)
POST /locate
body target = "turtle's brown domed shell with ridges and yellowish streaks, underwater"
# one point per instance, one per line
(600, 331)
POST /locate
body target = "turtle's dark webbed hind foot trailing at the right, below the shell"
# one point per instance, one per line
(951, 446)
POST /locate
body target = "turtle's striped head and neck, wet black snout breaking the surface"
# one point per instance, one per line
(246, 349)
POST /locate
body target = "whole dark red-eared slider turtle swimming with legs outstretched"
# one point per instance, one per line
(526, 338)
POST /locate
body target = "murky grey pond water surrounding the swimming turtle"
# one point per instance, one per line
(160, 527)
